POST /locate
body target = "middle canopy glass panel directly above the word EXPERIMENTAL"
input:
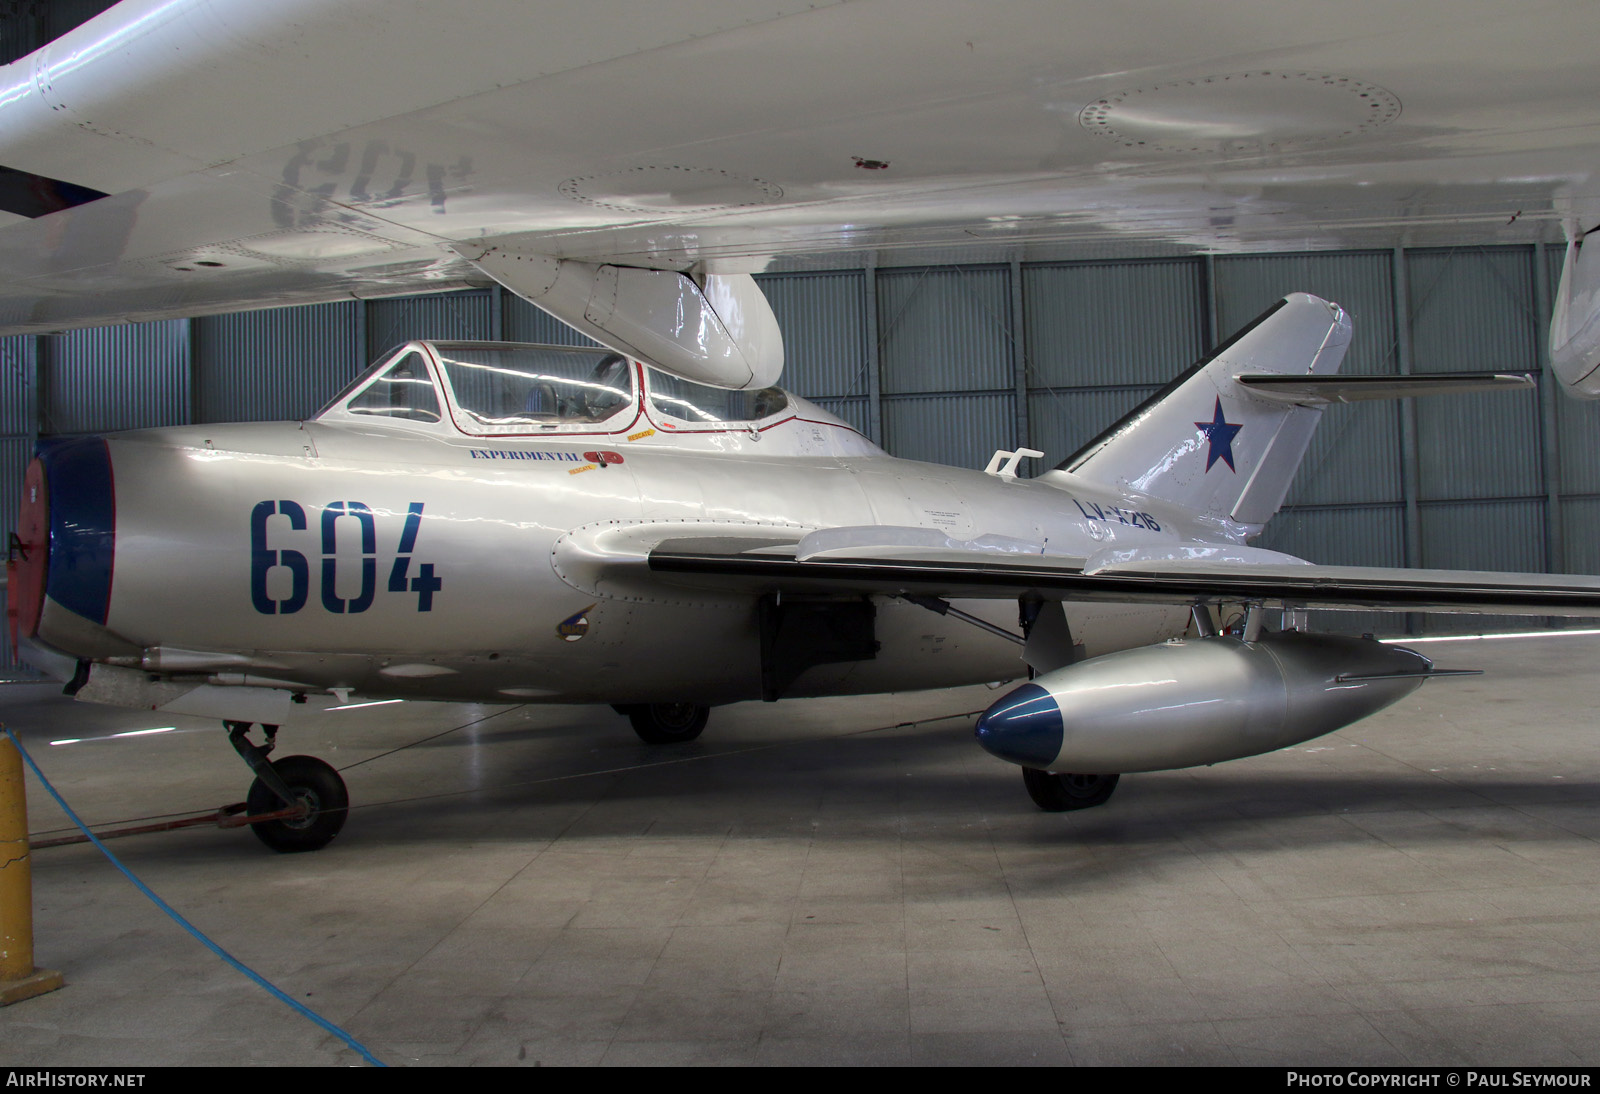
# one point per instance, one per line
(532, 389)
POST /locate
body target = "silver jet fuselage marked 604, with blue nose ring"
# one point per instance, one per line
(412, 559)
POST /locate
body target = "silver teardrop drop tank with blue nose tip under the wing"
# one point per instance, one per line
(1196, 701)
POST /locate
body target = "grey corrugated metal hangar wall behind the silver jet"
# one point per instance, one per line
(948, 364)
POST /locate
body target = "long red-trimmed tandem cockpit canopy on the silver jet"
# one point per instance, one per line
(500, 389)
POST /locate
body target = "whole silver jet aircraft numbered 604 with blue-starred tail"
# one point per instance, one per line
(521, 524)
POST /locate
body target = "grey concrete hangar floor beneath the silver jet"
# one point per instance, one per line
(839, 882)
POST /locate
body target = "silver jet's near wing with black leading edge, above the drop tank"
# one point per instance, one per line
(638, 561)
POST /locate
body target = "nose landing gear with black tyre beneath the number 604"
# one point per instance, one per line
(303, 797)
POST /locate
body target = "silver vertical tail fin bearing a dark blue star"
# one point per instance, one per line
(1210, 445)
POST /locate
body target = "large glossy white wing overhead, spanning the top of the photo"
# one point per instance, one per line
(177, 158)
